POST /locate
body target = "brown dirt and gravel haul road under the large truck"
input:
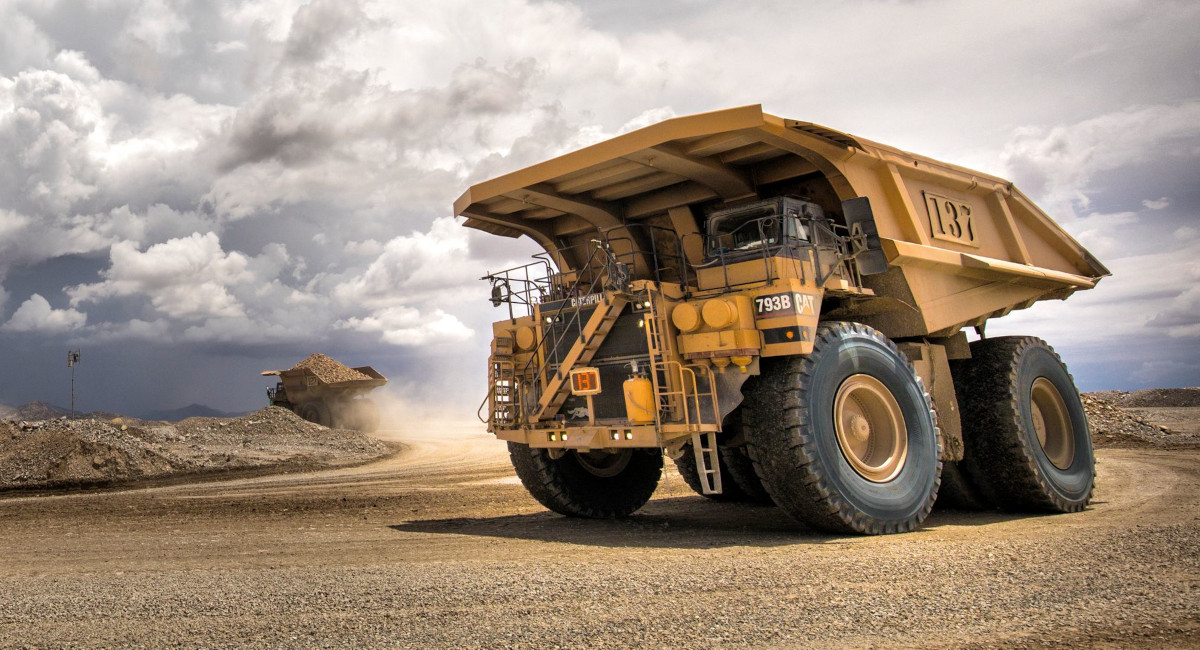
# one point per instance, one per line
(441, 547)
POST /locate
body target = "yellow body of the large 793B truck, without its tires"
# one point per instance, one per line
(730, 238)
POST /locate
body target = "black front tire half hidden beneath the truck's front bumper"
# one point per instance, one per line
(598, 485)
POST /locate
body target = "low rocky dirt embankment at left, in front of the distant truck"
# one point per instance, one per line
(55, 454)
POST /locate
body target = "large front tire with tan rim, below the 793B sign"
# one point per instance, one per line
(845, 438)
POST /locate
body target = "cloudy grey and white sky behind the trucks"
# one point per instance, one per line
(194, 192)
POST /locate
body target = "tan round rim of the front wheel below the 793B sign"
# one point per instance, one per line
(871, 429)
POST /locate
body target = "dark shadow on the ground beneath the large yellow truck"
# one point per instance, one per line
(682, 522)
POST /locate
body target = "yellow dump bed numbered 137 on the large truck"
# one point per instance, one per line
(962, 246)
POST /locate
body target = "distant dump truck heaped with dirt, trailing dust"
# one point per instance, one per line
(321, 390)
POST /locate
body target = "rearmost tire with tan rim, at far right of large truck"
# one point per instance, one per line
(1027, 443)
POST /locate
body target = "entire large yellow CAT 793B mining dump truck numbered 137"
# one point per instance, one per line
(783, 309)
